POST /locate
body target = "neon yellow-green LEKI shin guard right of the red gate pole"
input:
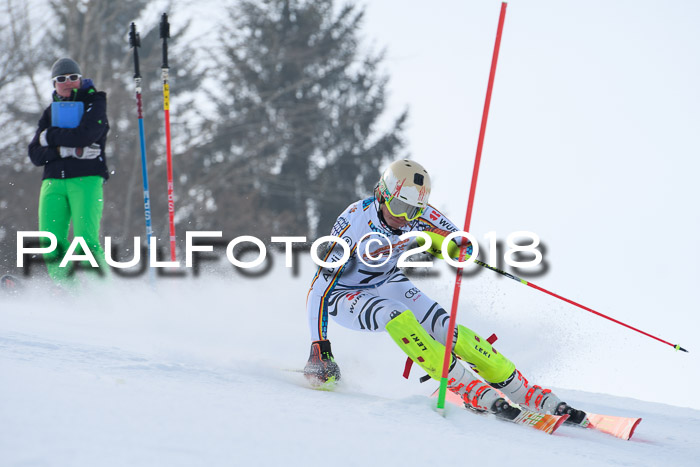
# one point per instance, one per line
(481, 357)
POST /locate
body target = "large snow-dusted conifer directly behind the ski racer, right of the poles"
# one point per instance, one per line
(298, 104)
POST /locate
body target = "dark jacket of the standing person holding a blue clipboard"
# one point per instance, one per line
(93, 128)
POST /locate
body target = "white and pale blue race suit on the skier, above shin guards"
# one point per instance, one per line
(367, 296)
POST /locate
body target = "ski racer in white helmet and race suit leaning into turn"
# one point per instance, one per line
(370, 293)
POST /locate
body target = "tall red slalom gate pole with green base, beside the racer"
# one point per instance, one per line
(467, 221)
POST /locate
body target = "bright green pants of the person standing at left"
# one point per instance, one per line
(72, 199)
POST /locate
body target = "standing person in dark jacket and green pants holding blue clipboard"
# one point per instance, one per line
(75, 168)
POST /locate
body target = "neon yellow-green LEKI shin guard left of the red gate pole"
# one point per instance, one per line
(417, 343)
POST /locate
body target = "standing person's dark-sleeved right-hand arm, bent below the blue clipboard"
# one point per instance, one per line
(92, 127)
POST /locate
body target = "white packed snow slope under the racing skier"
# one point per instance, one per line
(193, 373)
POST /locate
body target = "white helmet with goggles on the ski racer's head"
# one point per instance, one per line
(404, 188)
